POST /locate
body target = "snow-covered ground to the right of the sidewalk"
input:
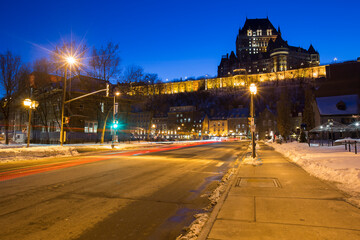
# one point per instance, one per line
(332, 163)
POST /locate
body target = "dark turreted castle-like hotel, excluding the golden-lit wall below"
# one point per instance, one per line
(260, 48)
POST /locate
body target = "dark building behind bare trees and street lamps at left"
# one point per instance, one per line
(84, 118)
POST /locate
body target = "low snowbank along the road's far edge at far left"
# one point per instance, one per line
(16, 154)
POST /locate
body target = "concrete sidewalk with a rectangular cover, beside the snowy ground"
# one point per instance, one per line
(279, 200)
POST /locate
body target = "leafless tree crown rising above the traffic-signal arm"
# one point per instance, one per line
(105, 62)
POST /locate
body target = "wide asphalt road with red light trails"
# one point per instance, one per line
(146, 196)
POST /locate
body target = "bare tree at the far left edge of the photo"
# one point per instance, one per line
(9, 83)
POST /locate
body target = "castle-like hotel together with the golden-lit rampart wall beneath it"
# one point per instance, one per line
(261, 56)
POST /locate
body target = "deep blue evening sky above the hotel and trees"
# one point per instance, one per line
(177, 38)
